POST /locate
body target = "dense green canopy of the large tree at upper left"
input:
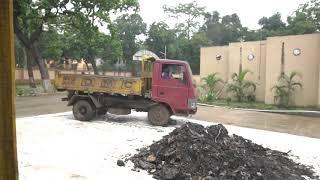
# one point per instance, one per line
(72, 24)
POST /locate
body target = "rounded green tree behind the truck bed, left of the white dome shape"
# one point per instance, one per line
(129, 28)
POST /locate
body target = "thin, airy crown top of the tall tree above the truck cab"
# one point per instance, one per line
(193, 14)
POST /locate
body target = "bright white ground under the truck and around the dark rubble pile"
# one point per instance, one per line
(55, 146)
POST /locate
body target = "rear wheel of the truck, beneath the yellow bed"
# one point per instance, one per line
(83, 110)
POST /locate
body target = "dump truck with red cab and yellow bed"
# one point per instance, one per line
(160, 87)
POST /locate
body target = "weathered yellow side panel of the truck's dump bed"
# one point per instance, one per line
(102, 84)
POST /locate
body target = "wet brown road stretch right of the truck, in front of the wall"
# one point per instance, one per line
(298, 125)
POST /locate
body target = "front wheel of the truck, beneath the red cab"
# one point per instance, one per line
(159, 115)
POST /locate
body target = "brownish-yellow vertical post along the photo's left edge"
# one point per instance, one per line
(8, 151)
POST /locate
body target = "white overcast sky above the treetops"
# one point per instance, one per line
(249, 11)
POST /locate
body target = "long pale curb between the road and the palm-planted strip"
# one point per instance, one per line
(292, 112)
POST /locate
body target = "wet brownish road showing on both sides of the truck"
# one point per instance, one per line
(298, 125)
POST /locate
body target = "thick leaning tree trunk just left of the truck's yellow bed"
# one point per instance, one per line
(47, 86)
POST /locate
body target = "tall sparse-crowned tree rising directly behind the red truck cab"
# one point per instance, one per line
(188, 38)
